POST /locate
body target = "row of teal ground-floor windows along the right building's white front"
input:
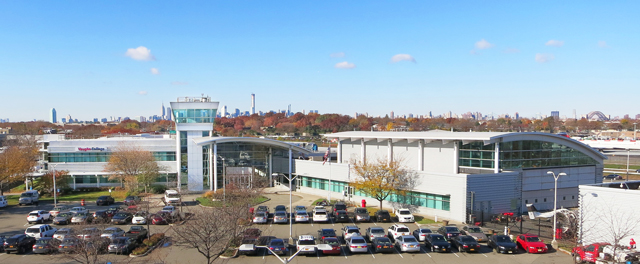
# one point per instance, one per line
(440, 202)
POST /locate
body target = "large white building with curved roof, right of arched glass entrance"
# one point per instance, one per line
(463, 175)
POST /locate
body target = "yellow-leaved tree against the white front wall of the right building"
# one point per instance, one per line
(380, 179)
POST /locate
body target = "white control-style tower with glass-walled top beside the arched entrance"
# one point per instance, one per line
(194, 117)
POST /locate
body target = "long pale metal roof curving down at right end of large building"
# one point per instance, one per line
(465, 137)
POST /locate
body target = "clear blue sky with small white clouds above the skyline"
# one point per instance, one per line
(331, 56)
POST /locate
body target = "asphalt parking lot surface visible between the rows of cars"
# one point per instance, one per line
(13, 221)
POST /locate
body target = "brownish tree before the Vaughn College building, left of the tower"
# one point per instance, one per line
(133, 165)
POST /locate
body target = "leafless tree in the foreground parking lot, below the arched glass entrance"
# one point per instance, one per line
(212, 231)
